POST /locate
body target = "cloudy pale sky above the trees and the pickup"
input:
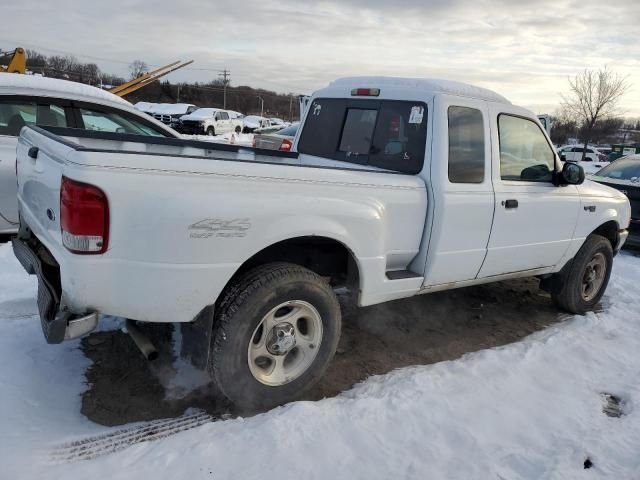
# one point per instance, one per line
(524, 50)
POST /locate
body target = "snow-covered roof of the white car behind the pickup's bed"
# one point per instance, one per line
(38, 86)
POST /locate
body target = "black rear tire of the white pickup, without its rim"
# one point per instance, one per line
(240, 312)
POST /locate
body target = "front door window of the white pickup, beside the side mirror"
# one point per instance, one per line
(525, 154)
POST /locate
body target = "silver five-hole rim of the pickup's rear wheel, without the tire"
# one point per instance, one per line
(285, 343)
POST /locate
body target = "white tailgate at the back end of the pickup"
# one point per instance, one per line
(40, 157)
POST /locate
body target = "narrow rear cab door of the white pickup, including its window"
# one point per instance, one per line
(463, 194)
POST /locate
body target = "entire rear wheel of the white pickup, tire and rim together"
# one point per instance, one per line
(275, 332)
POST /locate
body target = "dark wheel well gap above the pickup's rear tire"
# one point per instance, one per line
(325, 256)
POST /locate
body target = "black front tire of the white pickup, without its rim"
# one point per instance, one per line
(567, 285)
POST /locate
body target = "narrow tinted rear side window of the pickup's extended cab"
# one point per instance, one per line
(466, 145)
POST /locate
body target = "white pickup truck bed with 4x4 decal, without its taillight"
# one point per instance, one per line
(185, 215)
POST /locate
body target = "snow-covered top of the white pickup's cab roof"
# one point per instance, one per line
(428, 85)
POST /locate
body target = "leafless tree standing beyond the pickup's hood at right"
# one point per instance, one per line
(594, 96)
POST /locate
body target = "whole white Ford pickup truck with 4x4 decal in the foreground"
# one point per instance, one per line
(398, 187)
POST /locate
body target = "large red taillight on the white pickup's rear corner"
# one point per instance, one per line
(84, 217)
